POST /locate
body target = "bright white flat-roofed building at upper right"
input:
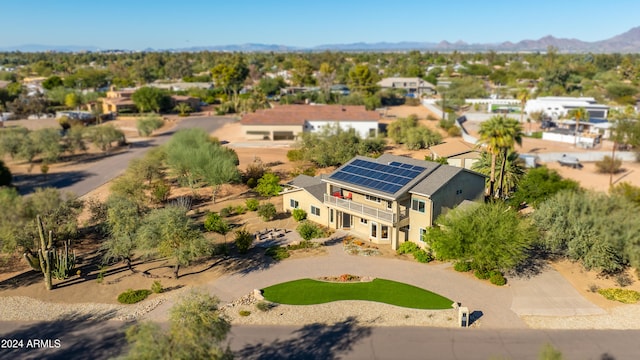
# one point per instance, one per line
(557, 107)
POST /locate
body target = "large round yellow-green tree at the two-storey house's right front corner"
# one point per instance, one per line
(490, 236)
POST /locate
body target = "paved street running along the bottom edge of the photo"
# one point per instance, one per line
(84, 339)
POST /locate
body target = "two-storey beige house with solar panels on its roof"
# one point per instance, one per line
(388, 200)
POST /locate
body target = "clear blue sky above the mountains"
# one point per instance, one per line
(162, 24)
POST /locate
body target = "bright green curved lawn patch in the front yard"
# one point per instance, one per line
(309, 292)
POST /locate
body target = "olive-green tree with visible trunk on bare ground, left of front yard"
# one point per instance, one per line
(170, 232)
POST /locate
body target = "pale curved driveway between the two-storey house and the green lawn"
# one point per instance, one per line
(500, 307)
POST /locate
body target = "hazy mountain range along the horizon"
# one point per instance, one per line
(628, 42)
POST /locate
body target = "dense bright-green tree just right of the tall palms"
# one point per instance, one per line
(539, 184)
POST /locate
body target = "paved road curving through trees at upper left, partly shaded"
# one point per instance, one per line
(105, 169)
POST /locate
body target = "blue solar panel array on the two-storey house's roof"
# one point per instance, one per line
(385, 178)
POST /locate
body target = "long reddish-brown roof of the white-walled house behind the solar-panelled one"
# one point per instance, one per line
(298, 114)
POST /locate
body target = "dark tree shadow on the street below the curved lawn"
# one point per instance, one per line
(310, 342)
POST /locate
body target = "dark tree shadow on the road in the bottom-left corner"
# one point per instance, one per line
(70, 337)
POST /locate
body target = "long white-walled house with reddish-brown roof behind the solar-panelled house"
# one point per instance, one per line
(287, 122)
